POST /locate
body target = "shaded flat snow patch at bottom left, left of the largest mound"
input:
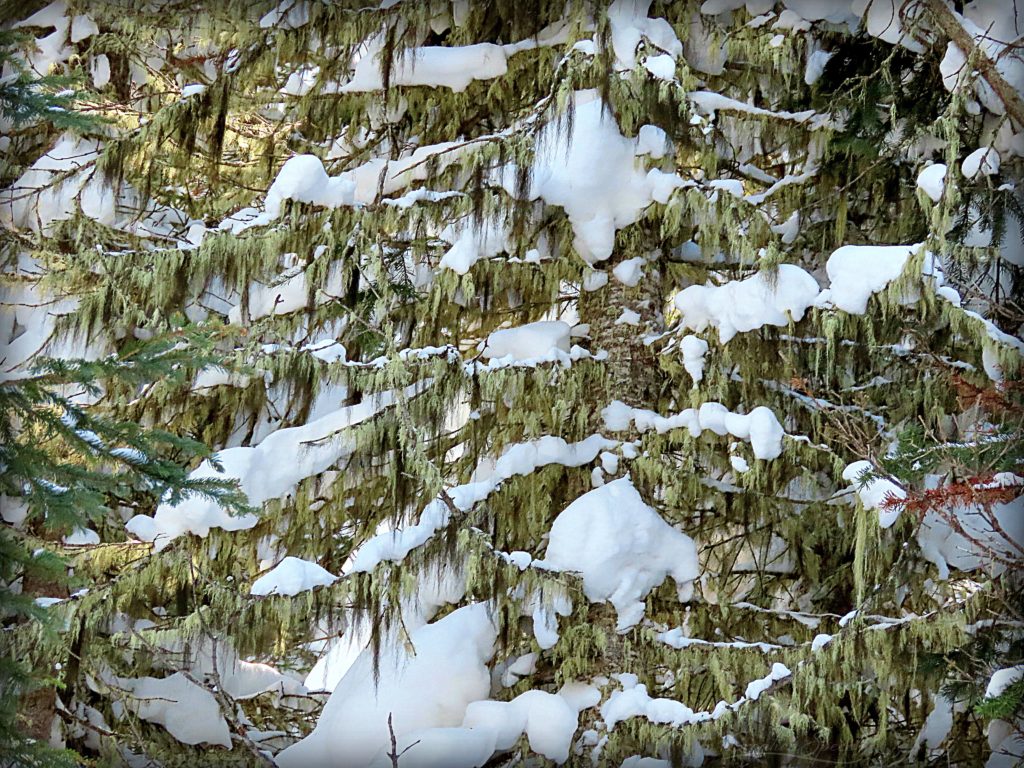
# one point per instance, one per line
(190, 713)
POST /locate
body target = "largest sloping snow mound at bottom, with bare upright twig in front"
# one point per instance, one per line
(431, 689)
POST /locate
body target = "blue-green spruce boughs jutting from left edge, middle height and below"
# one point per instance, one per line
(72, 466)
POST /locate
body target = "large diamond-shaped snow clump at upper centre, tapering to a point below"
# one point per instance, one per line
(595, 176)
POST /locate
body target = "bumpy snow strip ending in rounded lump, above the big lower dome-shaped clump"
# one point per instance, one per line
(761, 426)
